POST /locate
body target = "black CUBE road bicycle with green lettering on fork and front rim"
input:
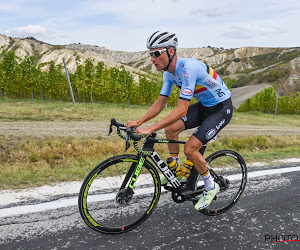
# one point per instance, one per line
(122, 192)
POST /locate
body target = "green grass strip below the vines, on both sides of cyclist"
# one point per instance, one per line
(26, 110)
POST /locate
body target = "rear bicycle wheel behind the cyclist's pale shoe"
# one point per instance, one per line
(231, 166)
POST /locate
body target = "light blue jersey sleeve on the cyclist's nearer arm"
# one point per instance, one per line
(188, 81)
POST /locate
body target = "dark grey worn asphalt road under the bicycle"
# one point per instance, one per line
(268, 211)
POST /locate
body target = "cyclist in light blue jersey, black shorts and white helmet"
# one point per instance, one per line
(210, 114)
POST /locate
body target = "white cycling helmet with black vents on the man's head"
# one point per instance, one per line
(162, 39)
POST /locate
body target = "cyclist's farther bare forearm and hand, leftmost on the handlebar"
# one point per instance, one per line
(152, 112)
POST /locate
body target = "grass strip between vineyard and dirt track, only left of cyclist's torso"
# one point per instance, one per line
(61, 111)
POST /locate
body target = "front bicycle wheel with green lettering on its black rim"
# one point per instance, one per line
(99, 202)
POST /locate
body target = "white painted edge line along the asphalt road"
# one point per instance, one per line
(26, 209)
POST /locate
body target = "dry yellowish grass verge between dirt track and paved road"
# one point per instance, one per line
(27, 162)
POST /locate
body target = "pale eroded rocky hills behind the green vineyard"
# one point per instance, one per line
(248, 65)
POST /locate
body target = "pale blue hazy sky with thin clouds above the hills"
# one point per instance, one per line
(125, 25)
